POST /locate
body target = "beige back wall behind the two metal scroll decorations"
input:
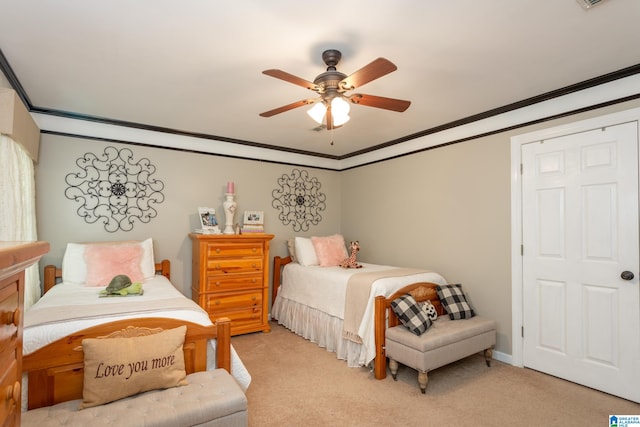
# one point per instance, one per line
(190, 179)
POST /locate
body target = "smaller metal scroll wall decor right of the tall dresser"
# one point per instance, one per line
(299, 200)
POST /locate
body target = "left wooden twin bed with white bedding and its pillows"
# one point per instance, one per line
(72, 310)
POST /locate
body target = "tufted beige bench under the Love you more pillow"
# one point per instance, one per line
(212, 398)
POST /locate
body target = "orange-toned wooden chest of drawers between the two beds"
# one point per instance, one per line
(230, 278)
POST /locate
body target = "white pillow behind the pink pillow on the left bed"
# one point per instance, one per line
(74, 266)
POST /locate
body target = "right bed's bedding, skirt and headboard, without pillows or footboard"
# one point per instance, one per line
(334, 306)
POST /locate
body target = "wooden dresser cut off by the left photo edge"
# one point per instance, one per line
(14, 258)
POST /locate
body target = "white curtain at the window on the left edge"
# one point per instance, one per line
(18, 206)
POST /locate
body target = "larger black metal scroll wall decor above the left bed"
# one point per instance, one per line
(114, 188)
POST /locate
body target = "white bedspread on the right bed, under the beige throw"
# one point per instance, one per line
(324, 289)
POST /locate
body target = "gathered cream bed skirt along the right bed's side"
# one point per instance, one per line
(320, 328)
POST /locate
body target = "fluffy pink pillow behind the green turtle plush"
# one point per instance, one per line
(106, 261)
